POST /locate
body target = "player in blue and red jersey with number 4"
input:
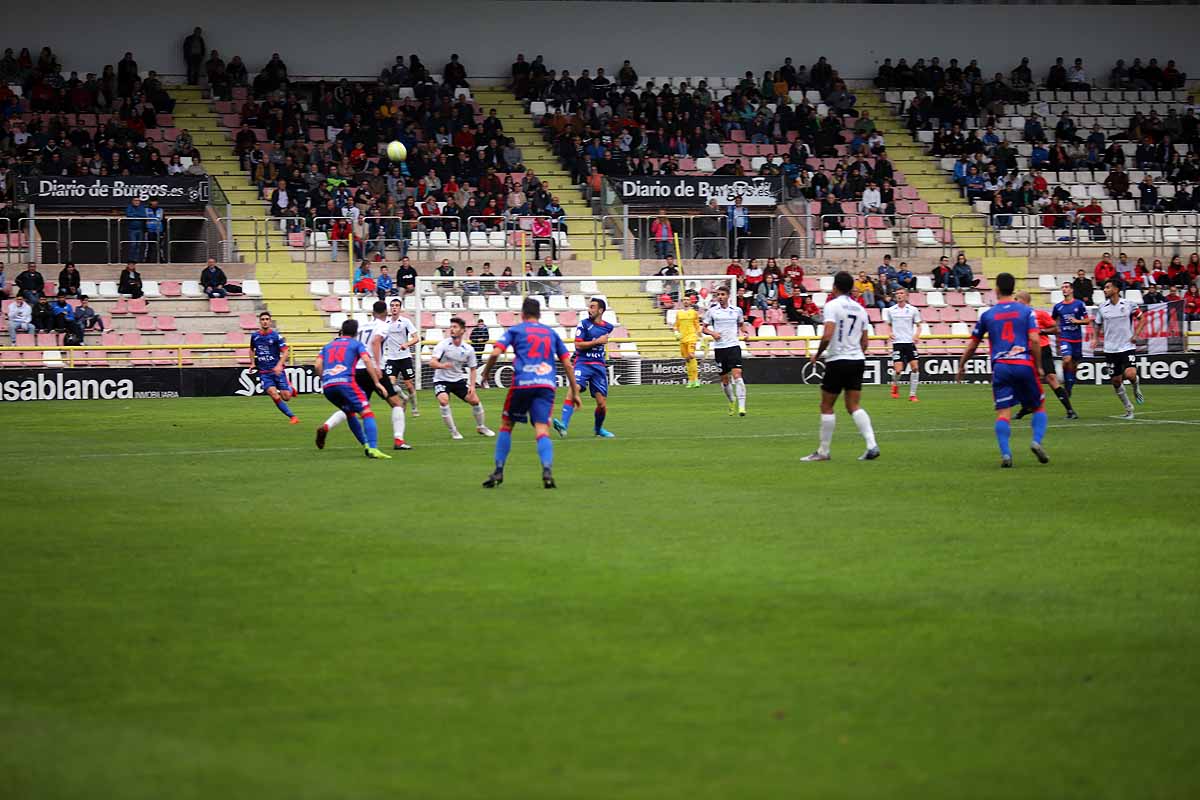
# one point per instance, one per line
(1016, 366)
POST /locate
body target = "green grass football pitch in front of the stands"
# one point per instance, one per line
(197, 604)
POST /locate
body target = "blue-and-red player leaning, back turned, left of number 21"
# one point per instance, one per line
(335, 365)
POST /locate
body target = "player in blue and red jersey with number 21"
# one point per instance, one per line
(537, 350)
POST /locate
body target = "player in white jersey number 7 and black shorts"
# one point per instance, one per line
(844, 344)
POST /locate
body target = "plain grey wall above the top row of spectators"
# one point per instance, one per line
(668, 38)
